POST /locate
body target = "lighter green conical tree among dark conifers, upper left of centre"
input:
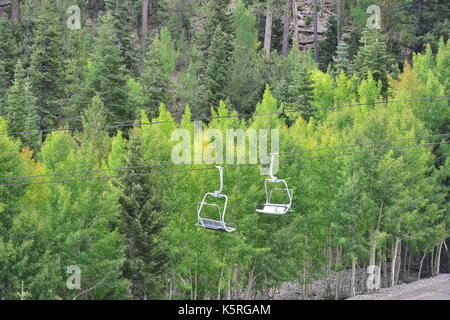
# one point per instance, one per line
(159, 64)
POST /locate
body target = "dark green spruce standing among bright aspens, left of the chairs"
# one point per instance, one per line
(141, 221)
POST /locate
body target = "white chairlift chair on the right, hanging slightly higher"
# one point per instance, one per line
(271, 208)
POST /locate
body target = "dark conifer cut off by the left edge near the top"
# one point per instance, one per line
(8, 50)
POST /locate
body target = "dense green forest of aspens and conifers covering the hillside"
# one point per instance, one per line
(91, 92)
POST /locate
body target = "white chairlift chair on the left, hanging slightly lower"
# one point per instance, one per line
(211, 224)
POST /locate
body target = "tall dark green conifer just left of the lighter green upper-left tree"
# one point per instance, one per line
(109, 76)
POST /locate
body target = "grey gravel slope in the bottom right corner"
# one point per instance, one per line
(437, 288)
